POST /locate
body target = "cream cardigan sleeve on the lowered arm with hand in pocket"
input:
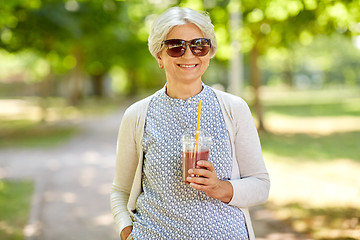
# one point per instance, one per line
(126, 163)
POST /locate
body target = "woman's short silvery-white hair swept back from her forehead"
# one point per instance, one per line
(176, 16)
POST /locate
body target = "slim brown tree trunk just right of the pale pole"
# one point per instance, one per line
(256, 84)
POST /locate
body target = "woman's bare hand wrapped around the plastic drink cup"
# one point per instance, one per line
(206, 180)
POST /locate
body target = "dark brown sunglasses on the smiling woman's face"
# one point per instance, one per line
(177, 47)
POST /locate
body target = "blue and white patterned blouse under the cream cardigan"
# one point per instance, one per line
(167, 208)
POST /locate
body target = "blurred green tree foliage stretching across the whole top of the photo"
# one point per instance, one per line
(88, 39)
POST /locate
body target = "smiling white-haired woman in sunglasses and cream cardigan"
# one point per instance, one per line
(149, 200)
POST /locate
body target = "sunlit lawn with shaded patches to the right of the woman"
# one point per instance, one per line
(313, 156)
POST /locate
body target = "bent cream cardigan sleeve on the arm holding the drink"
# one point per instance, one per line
(252, 188)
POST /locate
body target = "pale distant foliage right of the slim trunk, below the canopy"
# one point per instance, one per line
(314, 65)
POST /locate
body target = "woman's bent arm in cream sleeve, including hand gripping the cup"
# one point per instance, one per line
(252, 186)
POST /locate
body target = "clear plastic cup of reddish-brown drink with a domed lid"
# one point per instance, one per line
(190, 156)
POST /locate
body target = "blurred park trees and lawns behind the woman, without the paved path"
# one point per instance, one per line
(296, 63)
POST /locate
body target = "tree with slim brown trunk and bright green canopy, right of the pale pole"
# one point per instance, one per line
(280, 24)
